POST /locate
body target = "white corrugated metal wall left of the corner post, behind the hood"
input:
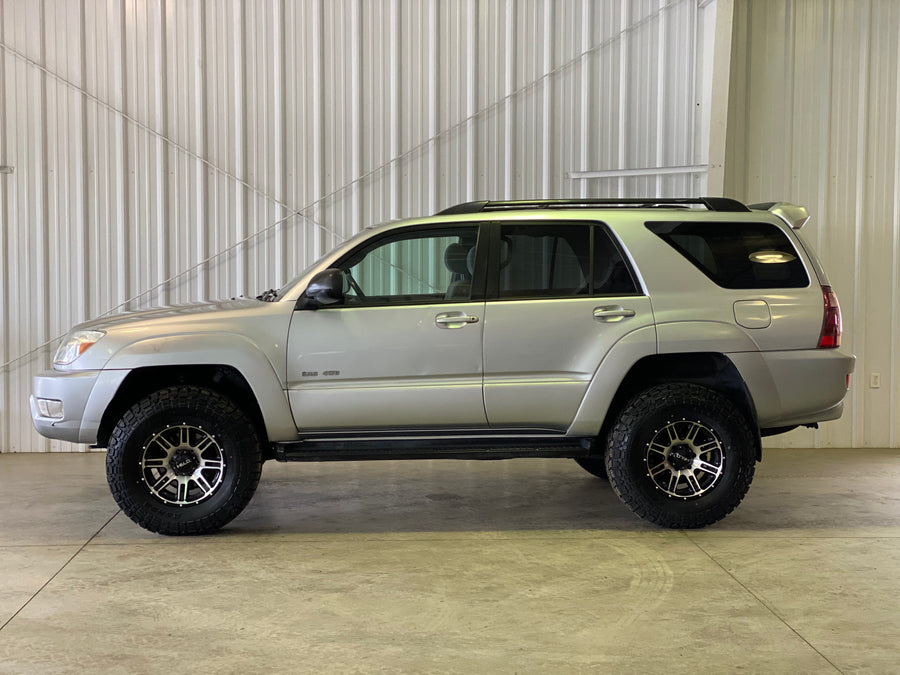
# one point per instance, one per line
(175, 151)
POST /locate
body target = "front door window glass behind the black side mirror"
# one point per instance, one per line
(421, 267)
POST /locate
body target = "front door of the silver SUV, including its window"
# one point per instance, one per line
(403, 349)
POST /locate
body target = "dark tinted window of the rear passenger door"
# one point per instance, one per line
(559, 260)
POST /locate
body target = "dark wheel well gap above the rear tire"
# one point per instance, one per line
(709, 369)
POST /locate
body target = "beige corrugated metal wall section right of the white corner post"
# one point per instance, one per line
(815, 119)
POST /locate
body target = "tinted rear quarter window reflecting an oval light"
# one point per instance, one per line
(737, 255)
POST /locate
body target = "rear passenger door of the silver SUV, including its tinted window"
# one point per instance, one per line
(559, 296)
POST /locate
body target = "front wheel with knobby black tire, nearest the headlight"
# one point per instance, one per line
(184, 460)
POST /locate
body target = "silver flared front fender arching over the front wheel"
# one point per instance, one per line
(226, 349)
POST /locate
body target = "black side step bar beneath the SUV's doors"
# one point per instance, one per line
(420, 448)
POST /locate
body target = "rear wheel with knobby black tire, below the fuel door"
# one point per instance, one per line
(681, 455)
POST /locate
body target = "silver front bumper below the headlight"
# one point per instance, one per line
(85, 395)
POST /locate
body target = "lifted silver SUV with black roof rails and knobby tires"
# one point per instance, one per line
(652, 341)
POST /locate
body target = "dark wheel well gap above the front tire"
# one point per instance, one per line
(143, 381)
